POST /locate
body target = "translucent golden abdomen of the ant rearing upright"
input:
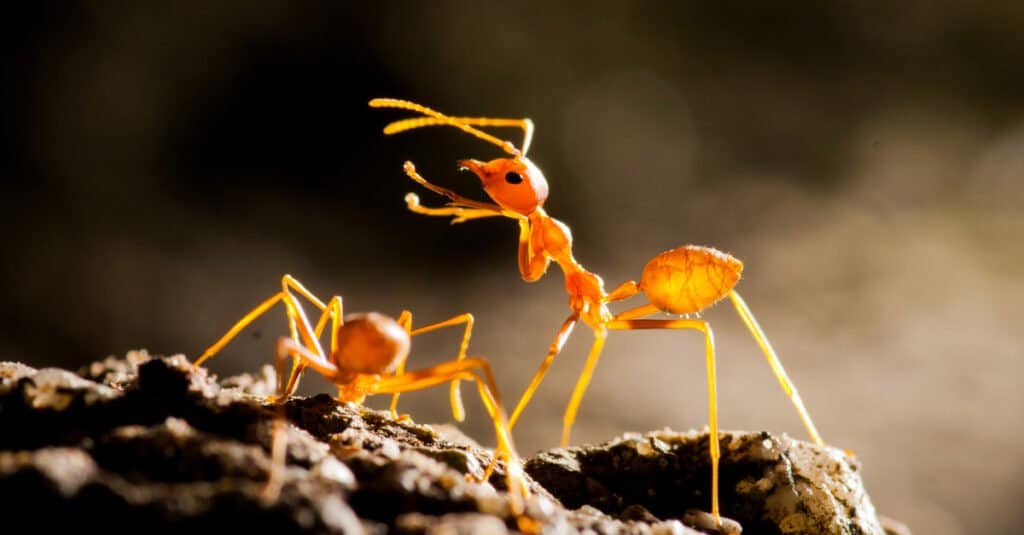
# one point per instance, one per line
(690, 279)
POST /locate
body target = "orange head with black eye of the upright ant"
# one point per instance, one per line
(516, 184)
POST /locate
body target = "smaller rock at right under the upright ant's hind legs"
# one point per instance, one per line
(769, 484)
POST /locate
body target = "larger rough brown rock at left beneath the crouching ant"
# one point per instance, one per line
(154, 444)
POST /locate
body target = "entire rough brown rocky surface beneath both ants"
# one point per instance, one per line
(153, 444)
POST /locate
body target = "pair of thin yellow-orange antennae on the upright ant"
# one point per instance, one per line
(435, 118)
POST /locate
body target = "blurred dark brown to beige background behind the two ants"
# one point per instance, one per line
(164, 166)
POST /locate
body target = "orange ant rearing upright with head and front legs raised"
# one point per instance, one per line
(681, 281)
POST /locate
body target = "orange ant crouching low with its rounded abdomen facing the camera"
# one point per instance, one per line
(368, 356)
